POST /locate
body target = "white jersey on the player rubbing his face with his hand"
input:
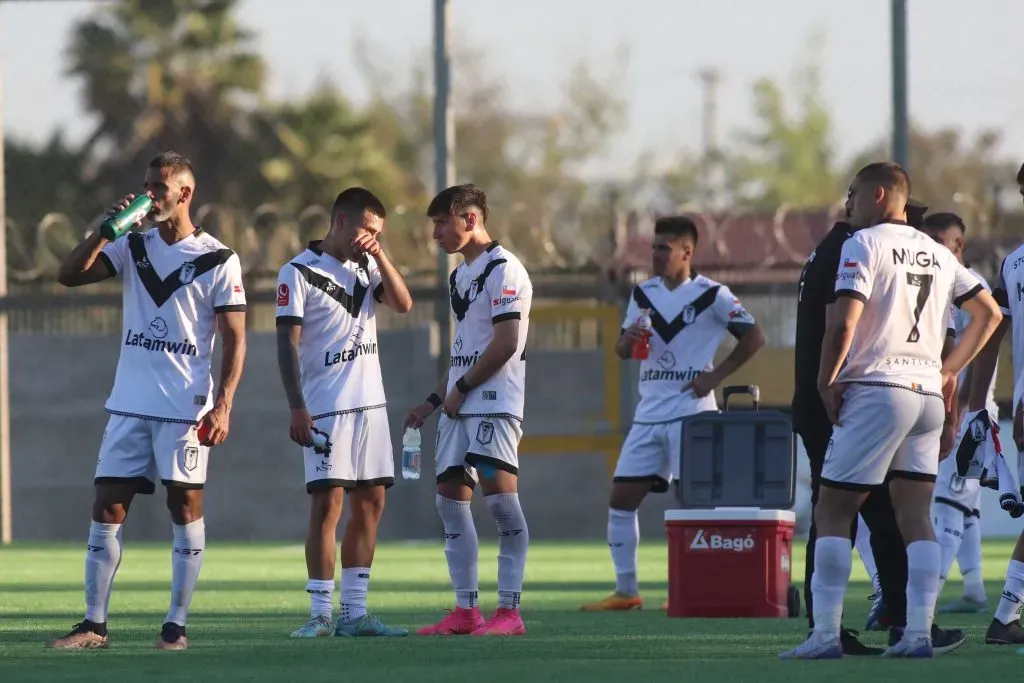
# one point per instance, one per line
(334, 302)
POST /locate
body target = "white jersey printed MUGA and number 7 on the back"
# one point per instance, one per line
(908, 283)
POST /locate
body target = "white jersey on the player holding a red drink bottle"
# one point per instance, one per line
(689, 325)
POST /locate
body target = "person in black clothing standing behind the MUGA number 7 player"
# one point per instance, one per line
(817, 291)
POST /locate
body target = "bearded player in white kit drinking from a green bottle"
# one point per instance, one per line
(181, 287)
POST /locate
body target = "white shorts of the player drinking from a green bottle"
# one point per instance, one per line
(143, 451)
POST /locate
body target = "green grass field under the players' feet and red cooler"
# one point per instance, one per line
(251, 596)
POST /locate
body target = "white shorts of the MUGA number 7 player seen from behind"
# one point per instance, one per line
(886, 433)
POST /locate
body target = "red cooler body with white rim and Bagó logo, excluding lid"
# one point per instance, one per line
(731, 563)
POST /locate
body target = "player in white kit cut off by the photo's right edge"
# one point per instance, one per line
(1009, 291)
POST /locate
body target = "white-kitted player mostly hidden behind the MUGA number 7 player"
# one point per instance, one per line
(957, 516)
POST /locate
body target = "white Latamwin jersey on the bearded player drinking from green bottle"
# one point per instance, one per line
(173, 294)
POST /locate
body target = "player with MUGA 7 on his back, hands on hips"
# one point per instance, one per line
(893, 291)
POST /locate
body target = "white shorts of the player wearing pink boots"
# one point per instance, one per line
(466, 445)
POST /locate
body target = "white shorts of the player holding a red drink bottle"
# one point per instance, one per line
(651, 453)
